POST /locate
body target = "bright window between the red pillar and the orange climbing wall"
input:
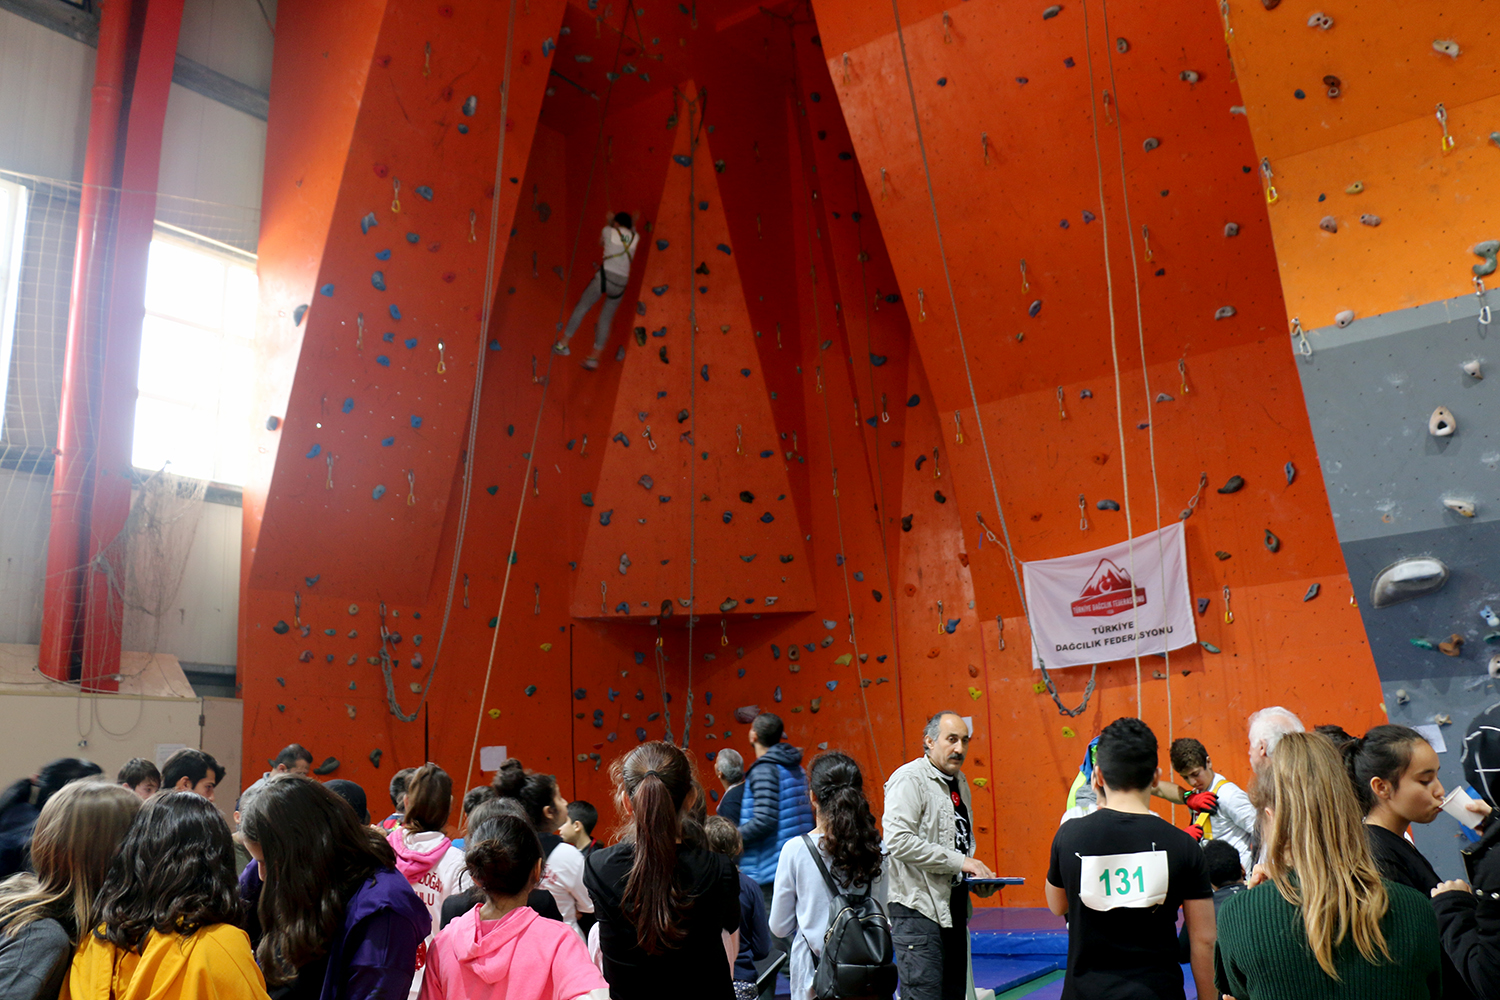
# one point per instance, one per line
(193, 415)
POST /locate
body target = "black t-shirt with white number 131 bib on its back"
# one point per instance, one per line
(1126, 876)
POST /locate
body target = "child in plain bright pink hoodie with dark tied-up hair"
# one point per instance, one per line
(503, 948)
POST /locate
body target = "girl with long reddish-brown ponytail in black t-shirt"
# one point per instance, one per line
(668, 911)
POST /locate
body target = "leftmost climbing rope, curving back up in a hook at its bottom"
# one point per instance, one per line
(388, 666)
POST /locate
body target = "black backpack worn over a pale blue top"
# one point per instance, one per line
(859, 960)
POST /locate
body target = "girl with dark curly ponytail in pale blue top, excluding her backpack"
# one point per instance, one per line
(850, 846)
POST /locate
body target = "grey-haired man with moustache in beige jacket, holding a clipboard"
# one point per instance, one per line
(929, 840)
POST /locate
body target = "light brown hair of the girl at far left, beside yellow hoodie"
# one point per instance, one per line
(77, 836)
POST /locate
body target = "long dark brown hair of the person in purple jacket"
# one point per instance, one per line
(317, 855)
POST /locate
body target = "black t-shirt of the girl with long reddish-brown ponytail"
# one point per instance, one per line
(698, 966)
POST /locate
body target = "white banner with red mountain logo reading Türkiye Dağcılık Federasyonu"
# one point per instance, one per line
(1109, 603)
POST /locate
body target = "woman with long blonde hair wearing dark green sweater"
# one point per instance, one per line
(1325, 924)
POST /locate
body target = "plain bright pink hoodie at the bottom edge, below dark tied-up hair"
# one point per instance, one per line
(520, 957)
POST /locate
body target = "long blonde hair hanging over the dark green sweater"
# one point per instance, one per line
(1318, 851)
